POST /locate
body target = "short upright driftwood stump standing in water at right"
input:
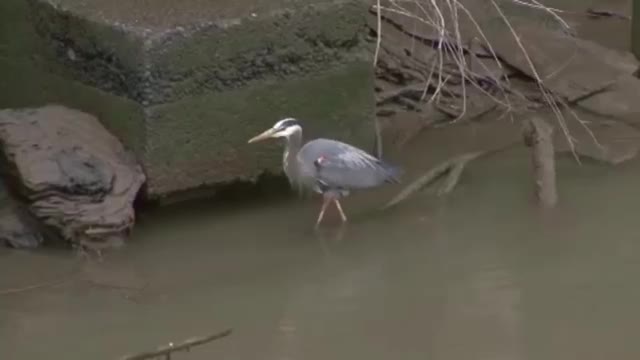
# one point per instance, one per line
(539, 136)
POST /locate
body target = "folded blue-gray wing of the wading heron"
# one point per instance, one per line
(335, 164)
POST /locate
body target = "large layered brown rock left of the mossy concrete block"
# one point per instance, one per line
(75, 177)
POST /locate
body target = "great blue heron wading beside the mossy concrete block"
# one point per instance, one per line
(328, 167)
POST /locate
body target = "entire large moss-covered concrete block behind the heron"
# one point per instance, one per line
(185, 83)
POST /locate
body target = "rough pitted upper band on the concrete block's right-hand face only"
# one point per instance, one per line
(214, 58)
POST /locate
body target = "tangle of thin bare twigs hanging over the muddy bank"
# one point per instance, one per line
(443, 17)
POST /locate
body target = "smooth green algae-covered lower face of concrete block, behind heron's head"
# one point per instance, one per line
(335, 104)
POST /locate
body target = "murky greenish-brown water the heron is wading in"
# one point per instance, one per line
(481, 275)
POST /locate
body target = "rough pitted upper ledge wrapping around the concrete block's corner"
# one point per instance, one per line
(152, 62)
